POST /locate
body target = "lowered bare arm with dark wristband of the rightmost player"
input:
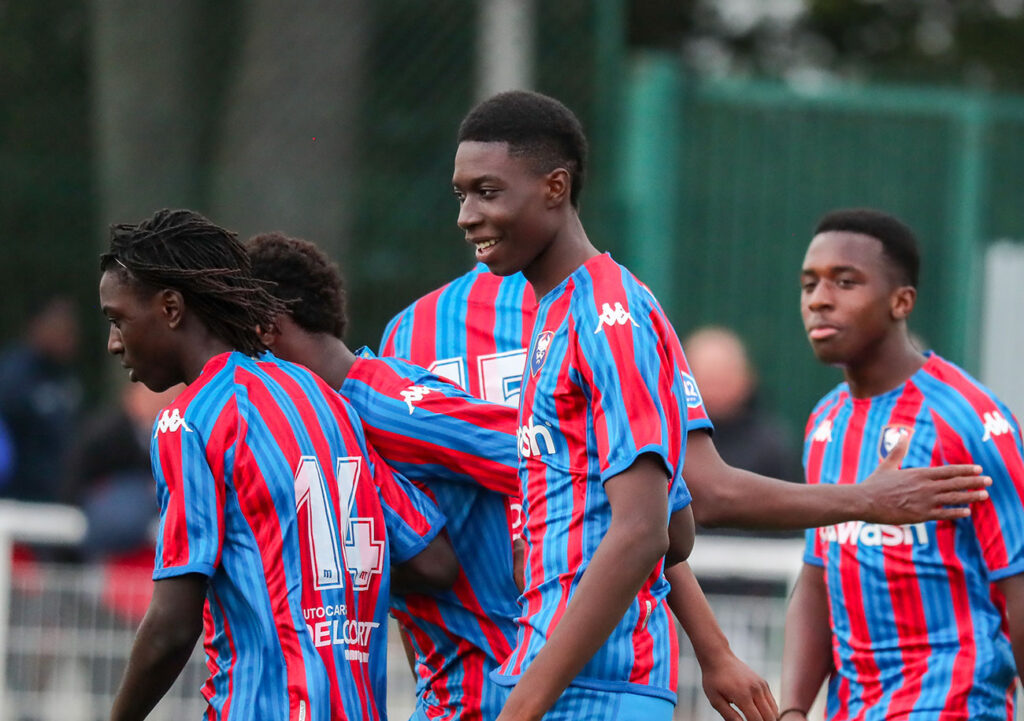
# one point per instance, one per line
(807, 651)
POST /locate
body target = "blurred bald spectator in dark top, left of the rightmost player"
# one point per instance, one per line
(746, 436)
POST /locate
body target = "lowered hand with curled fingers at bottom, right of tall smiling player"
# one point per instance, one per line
(732, 685)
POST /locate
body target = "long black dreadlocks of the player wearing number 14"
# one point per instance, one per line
(184, 251)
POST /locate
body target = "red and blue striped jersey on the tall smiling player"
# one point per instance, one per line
(606, 381)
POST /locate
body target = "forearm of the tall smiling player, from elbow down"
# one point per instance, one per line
(622, 563)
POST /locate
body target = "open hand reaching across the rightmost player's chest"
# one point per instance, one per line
(915, 495)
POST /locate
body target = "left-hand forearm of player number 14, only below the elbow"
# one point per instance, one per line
(162, 649)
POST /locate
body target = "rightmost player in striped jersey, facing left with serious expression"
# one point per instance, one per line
(913, 622)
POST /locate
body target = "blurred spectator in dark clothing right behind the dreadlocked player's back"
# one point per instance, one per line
(110, 477)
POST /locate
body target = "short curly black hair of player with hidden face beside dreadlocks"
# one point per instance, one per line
(303, 277)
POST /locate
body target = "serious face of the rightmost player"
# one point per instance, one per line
(848, 298)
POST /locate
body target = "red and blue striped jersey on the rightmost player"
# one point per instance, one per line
(919, 630)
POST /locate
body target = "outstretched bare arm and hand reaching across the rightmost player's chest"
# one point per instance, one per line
(722, 495)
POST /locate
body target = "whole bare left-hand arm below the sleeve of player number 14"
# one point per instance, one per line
(163, 645)
